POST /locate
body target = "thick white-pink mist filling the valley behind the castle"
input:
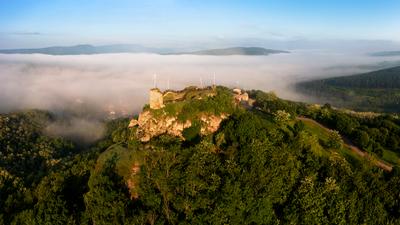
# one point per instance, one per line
(94, 87)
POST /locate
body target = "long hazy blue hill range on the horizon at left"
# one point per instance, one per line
(86, 50)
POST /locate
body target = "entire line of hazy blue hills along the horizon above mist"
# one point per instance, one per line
(90, 49)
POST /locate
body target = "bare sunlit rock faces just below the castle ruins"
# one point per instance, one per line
(149, 127)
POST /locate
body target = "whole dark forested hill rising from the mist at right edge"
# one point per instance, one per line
(376, 91)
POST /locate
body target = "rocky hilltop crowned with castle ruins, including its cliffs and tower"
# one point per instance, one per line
(187, 113)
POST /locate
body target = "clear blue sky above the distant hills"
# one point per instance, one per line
(37, 23)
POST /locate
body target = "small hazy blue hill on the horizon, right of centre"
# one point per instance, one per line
(234, 51)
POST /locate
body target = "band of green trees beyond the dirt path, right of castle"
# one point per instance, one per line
(378, 134)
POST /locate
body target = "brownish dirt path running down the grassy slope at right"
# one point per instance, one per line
(379, 163)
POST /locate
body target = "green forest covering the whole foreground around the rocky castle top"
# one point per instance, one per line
(263, 166)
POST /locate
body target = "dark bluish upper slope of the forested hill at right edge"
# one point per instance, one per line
(385, 78)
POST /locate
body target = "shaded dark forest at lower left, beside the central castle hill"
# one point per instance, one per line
(42, 178)
